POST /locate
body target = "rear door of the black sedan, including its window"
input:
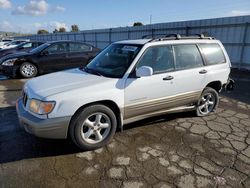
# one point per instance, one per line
(78, 55)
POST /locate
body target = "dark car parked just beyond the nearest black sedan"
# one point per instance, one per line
(23, 47)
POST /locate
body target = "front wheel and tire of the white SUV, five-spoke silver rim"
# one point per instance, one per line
(93, 127)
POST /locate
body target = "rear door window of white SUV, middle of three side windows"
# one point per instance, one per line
(187, 56)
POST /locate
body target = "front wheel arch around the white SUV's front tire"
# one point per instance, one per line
(109, 103)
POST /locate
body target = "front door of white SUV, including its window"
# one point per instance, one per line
(147, 95)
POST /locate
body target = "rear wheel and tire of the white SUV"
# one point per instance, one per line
(207, 102)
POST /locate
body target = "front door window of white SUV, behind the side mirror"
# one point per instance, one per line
(159, 58)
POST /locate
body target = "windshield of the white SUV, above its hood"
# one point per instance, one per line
(114, 60)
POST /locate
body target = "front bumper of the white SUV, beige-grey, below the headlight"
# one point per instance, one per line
(55, 128)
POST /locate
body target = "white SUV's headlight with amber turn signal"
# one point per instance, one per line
(41, 107)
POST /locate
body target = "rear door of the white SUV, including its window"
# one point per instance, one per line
(189, 75)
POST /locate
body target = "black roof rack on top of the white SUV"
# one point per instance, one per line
(181, 37)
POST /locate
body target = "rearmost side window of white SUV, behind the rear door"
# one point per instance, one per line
(213, 53)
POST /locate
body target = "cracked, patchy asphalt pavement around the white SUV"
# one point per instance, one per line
(177, 150)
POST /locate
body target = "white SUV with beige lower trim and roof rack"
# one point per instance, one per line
(128, 81)
